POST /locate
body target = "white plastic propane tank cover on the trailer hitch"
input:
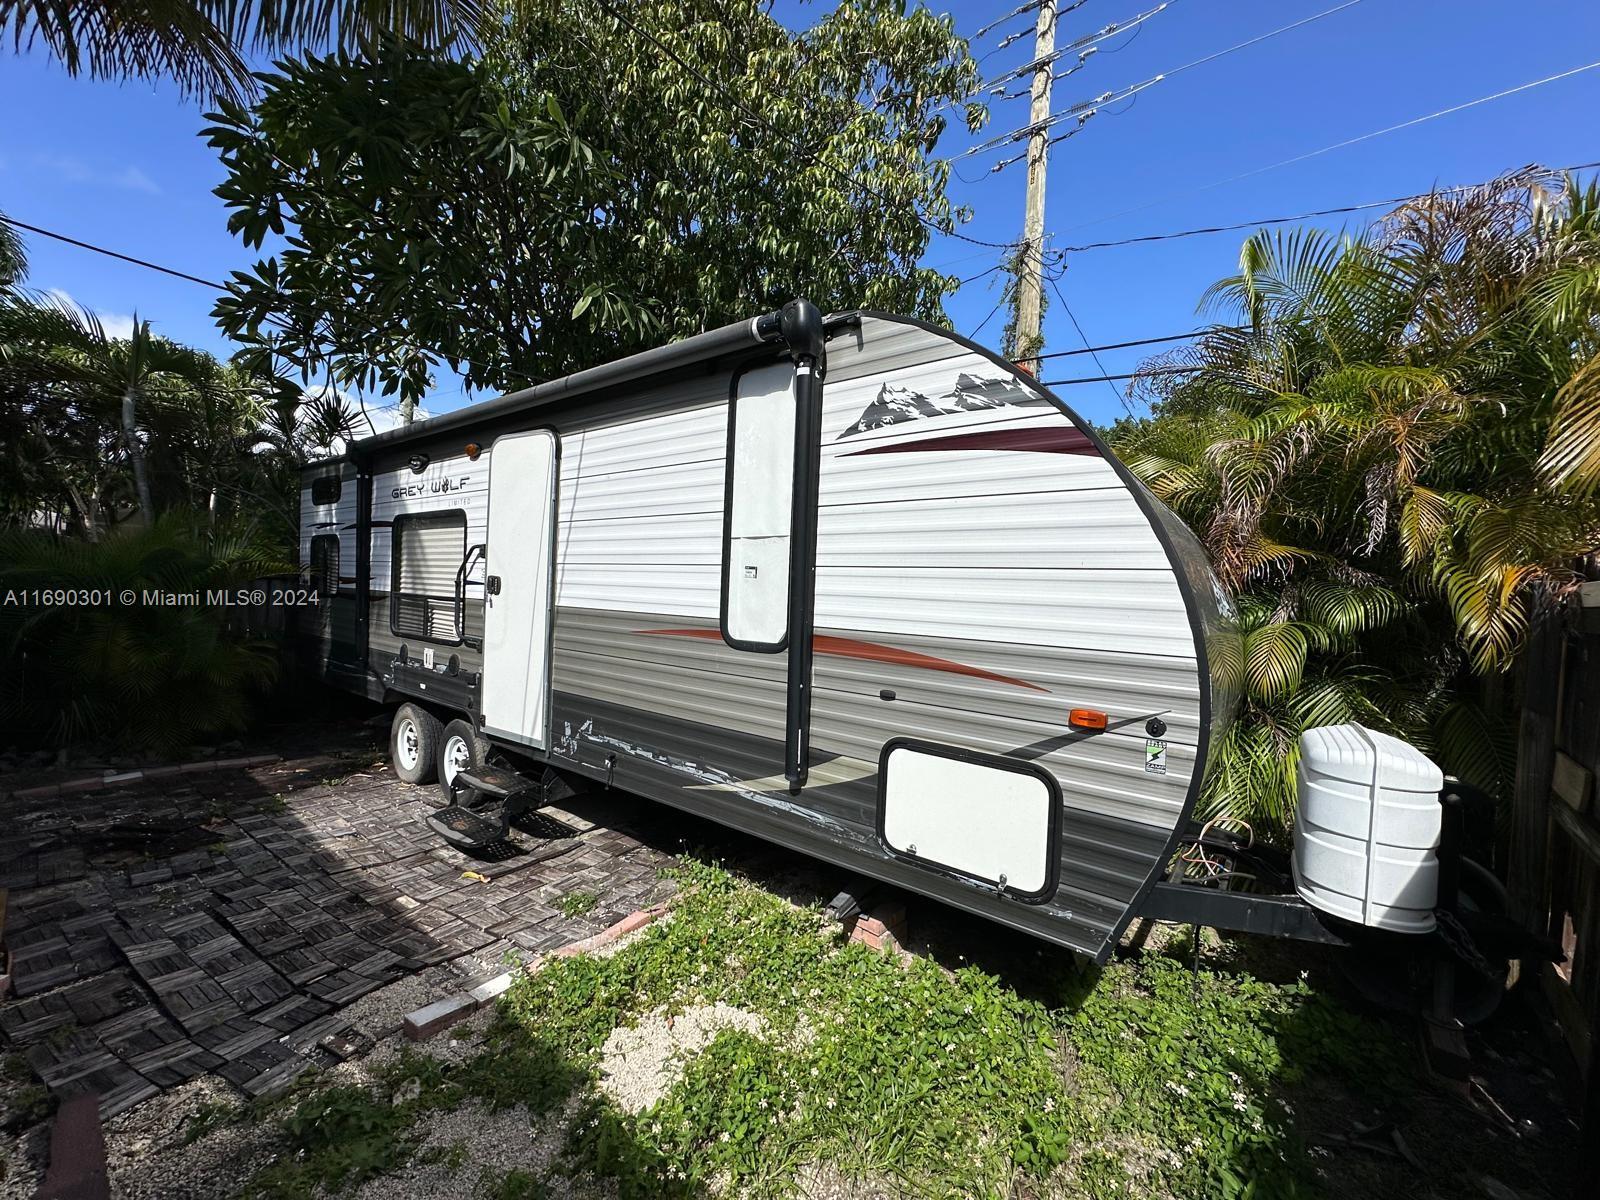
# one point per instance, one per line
(1367, 836)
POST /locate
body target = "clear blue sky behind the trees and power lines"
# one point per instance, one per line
(124, 166)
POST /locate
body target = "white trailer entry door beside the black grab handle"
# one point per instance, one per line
(516, 684)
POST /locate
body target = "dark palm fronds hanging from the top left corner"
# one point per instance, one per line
(202, 44)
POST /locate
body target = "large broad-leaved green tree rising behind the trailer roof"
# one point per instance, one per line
(590, 186)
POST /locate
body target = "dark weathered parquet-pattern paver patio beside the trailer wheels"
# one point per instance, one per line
(220, 924)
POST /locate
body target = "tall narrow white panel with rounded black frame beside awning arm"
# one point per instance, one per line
(759, 508)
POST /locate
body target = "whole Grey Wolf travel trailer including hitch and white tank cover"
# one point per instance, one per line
(849, 583)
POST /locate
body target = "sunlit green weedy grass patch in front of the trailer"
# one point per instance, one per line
(1145, 1081)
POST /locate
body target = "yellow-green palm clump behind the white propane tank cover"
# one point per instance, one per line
(1393, 463)
